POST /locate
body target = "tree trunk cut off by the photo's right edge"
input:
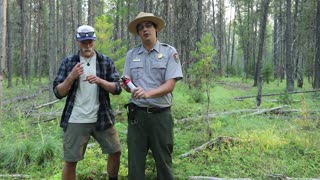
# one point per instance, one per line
(316, 83)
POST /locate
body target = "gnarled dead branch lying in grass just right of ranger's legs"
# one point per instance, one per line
(218, 141)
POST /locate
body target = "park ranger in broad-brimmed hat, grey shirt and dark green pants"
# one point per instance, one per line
(154, 68)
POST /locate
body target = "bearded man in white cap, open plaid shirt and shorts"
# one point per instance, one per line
(87, 78)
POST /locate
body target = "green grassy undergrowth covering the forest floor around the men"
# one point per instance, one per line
(265, 144)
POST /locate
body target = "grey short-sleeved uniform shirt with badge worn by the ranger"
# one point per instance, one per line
(151, 69)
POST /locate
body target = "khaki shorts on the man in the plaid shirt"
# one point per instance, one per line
(77, 135)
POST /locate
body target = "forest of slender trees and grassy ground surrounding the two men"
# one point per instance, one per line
(245, 63)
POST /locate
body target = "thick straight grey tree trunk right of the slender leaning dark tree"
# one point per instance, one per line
(289, 63)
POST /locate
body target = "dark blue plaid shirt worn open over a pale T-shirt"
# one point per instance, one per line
(105, 70)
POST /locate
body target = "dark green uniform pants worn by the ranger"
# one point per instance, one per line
(154, 131)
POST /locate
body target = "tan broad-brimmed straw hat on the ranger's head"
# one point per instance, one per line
(142, 17)
